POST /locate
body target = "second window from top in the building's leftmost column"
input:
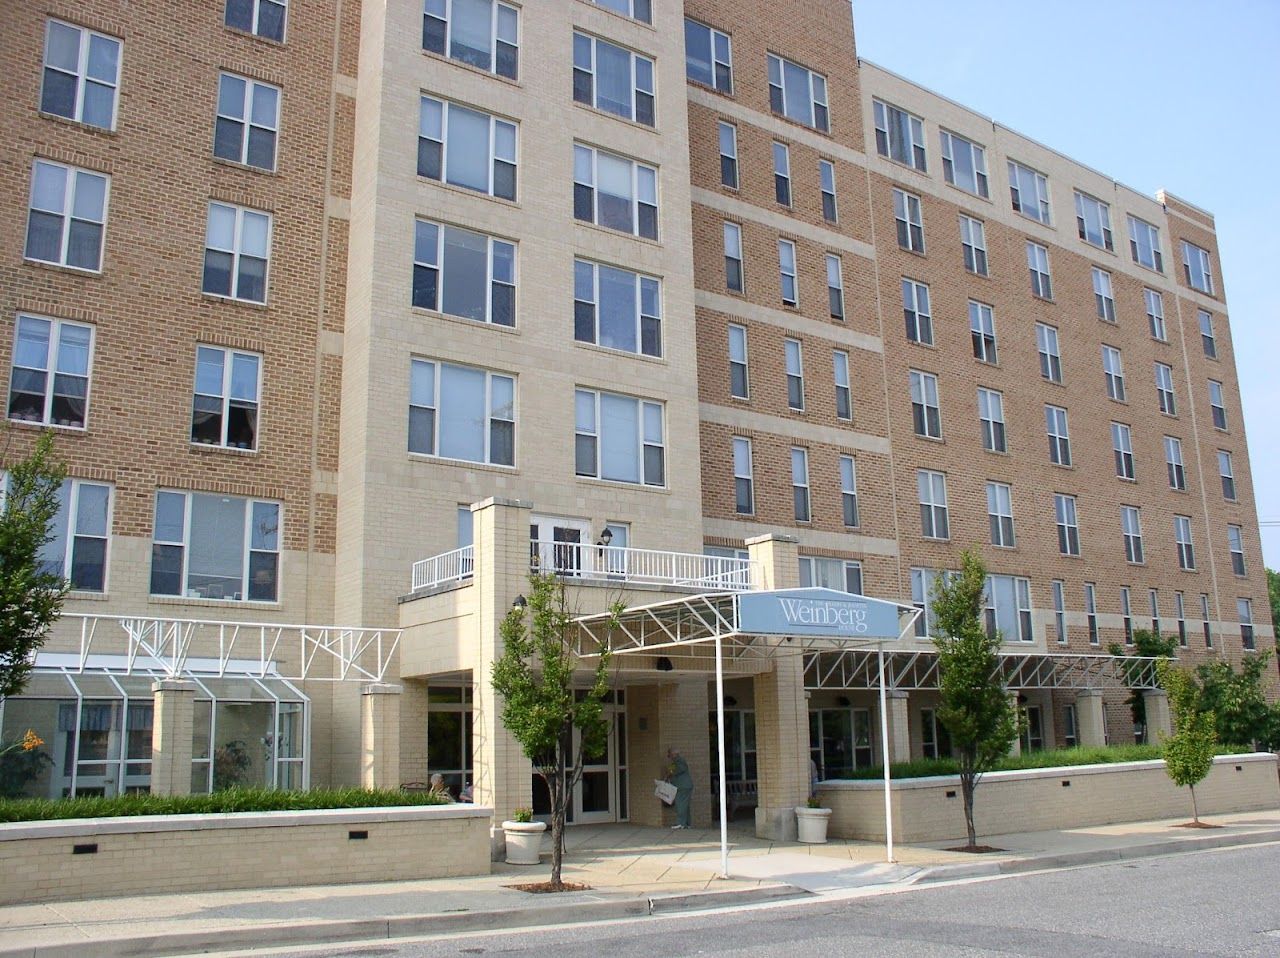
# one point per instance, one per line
(68, 216)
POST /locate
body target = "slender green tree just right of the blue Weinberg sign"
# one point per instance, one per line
(973, 705)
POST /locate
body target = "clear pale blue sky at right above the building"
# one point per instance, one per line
(1176, 95)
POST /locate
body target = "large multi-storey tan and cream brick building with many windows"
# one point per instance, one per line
(298, 284)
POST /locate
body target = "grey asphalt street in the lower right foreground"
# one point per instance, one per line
(1208, 904)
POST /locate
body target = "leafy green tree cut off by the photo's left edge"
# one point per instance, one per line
(30, 597)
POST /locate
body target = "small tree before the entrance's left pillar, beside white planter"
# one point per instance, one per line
(541, 705)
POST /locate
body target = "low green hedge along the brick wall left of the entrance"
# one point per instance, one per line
(20, 810)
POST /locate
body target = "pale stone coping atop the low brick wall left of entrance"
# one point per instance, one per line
(145, 824)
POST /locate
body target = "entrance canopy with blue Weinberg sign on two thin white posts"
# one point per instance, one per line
(771, 623)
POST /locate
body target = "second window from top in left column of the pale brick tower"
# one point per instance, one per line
(467, 148)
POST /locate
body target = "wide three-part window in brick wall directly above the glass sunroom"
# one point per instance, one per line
(217, 548)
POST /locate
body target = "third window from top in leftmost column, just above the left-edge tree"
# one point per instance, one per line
(49, 381)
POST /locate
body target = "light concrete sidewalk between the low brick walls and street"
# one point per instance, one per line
(633, 873)
